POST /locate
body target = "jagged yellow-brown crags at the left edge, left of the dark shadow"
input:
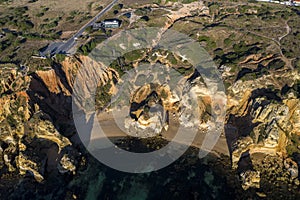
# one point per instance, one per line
(24, 127)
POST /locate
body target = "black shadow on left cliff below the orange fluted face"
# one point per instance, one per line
(57, 105)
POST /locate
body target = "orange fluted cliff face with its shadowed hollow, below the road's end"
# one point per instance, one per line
(52, 89)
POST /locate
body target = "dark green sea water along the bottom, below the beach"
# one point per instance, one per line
(187, 178)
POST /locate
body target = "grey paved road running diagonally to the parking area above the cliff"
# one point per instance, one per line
(65, 48)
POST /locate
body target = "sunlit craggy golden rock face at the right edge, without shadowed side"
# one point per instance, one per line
(274, 122)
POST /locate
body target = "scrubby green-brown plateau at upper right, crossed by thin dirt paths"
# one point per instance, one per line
(235, 31)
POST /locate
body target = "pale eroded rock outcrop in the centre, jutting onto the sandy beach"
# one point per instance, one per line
(152, 105)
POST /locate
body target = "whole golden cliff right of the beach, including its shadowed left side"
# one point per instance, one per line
(263, 122)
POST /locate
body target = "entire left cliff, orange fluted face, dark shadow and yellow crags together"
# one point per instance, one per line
(33, 111)
